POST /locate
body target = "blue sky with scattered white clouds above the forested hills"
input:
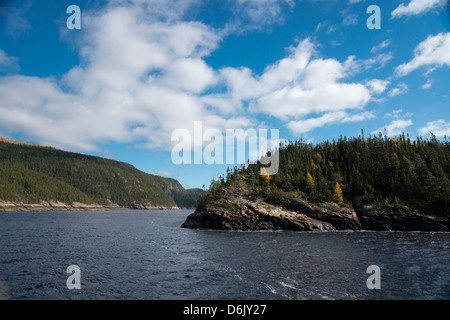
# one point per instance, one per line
(137, 78)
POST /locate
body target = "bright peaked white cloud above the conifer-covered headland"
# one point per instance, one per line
(299, 85)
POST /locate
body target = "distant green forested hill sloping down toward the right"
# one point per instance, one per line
(31, 173)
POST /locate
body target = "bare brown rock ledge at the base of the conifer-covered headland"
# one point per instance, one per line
(239, 213)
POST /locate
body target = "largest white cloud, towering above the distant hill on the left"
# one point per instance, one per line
(138, 81)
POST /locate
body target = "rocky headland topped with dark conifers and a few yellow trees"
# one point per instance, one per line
(379, 183)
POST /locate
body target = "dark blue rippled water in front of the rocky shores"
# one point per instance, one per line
(146, 255)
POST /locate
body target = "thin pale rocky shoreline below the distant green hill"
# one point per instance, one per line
(76, 206)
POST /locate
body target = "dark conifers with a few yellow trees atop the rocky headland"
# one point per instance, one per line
(394, 171)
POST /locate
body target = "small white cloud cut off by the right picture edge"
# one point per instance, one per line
(432, 52)
